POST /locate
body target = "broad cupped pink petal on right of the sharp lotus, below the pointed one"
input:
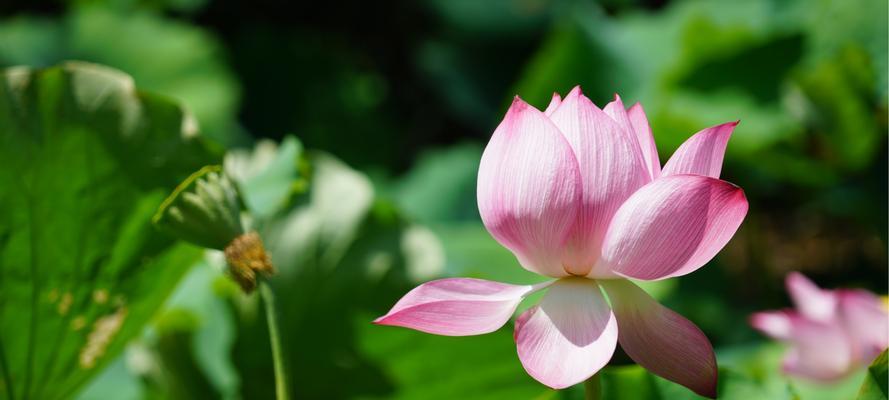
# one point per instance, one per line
(673, 226)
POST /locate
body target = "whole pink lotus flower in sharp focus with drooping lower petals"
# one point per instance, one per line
(577, 194)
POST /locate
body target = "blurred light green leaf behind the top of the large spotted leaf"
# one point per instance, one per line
(164, 56)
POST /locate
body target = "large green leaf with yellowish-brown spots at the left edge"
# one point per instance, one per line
(86, 159)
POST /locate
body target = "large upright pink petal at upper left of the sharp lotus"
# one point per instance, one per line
(529, 189)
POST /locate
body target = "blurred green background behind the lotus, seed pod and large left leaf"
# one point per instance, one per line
(387, 106)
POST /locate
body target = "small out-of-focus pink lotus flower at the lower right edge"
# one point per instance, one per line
(831, 333)
